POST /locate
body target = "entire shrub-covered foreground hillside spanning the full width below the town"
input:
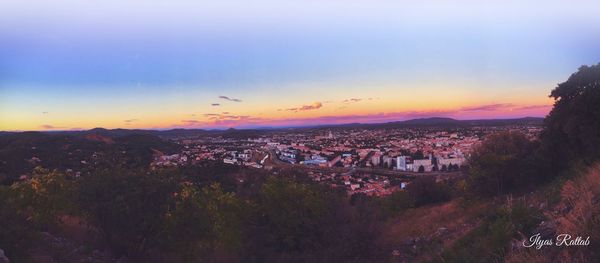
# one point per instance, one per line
(86, 222)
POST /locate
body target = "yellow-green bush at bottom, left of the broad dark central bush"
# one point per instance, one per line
(203, 221)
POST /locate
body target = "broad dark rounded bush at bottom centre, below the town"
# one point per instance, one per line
(304, 222)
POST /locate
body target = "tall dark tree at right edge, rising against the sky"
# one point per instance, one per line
(572, 128)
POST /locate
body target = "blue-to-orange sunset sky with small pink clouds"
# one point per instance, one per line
(70, 65)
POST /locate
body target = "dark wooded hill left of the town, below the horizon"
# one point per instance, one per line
(20, 153)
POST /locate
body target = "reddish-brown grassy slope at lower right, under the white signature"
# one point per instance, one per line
(495, 230)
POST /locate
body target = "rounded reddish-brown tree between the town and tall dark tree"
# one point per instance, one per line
(502, 162)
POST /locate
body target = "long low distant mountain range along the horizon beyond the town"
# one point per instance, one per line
(422, 122)
